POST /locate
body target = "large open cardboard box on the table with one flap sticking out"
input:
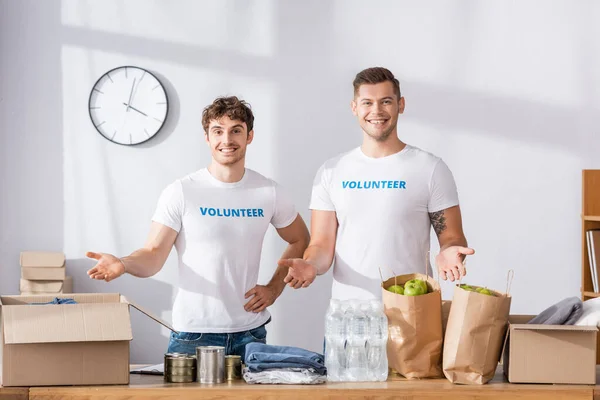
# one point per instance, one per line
(69, 344)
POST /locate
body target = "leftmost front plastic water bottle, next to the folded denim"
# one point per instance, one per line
(335, 338)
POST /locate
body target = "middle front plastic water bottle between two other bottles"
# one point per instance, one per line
(357, 325)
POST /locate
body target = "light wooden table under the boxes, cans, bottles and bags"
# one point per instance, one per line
(153, 387)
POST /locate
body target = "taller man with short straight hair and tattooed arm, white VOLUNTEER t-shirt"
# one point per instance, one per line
(373, 207)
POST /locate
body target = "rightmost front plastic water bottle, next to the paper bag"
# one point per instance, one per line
(377, 345)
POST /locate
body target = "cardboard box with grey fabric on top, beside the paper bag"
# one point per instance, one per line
(549, 353)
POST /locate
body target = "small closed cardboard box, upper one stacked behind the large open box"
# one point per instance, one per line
(43, 266)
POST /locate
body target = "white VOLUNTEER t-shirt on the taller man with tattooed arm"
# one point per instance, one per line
(382, 207)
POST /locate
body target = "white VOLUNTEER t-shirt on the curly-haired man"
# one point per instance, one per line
(221, 230)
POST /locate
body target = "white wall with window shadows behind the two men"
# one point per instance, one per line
(506, 92)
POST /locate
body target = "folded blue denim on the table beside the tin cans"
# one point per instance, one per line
(263, 357)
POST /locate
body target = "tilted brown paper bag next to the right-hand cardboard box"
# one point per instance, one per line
(474, 336)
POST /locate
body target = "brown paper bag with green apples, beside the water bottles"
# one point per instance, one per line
(414, 345)
